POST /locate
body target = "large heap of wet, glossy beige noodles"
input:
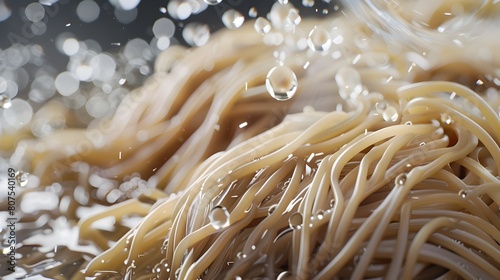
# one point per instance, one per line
(399, 181)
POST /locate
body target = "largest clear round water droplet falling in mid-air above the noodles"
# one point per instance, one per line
(281, 83)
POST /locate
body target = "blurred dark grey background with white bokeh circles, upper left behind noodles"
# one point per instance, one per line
(89, 54)
